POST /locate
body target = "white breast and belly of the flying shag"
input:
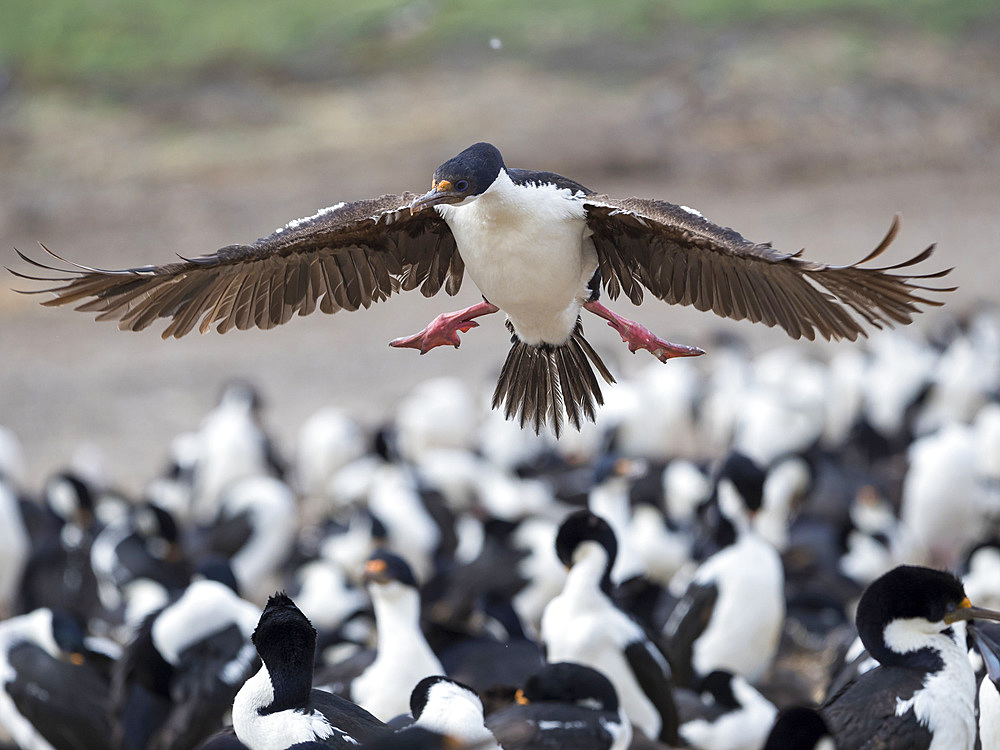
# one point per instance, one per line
(528, 250)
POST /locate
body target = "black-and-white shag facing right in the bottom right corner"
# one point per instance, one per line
(922, 695)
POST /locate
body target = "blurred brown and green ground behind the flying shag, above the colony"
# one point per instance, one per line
(130, 132)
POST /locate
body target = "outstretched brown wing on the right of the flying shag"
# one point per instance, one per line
(684, 259)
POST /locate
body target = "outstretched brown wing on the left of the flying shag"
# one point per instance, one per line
(342, 258)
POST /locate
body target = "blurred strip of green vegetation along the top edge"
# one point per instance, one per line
(120, 39)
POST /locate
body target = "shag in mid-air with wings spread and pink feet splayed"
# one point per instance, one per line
(539, 246)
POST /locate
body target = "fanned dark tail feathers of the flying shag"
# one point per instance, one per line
(539, 384)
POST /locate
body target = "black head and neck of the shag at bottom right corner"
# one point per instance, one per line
(909, 592)
